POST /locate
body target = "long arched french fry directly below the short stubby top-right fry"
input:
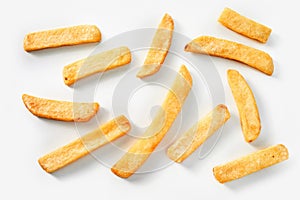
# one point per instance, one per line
(227, 49)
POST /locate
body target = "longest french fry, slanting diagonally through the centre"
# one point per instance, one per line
(139, 152)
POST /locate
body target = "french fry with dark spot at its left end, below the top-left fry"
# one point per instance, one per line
(101, 62)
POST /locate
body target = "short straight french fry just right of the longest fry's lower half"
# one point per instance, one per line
(198, 134)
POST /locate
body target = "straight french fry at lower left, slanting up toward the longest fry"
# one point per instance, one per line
(71, 152)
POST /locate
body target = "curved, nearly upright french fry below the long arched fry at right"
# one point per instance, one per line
(245, 101)
